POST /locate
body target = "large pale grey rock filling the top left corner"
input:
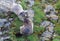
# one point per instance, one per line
(3, 4)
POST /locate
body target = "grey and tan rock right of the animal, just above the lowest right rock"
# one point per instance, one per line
(48, 26)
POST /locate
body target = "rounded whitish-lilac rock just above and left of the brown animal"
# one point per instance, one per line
(17, 9)
